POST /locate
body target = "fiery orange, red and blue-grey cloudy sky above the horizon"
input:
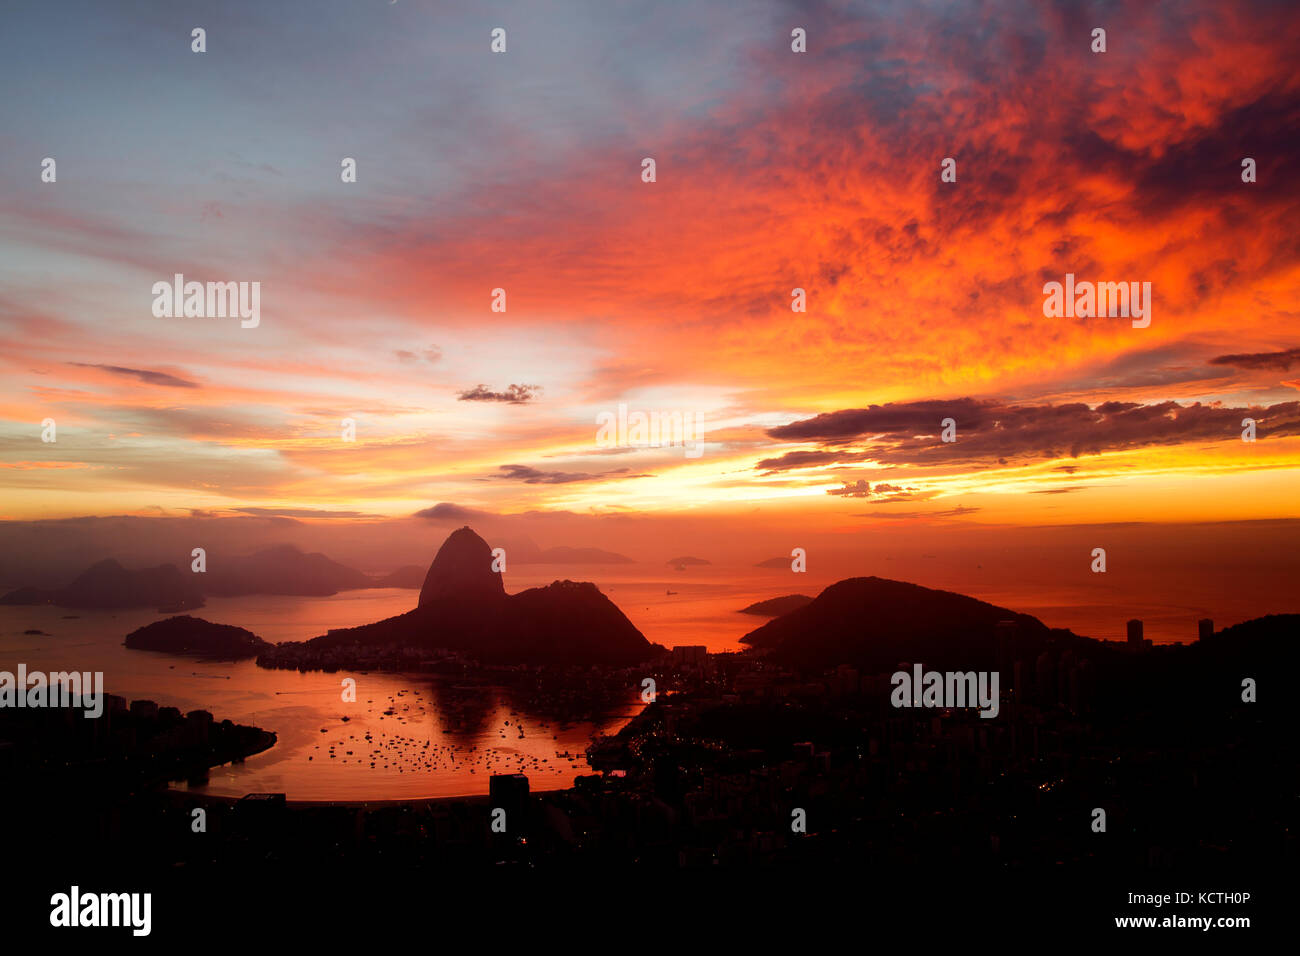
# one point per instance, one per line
(775, 171)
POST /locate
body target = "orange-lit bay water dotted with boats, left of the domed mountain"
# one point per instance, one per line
(443, 738)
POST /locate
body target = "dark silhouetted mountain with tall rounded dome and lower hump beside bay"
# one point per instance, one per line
(463, 607)
